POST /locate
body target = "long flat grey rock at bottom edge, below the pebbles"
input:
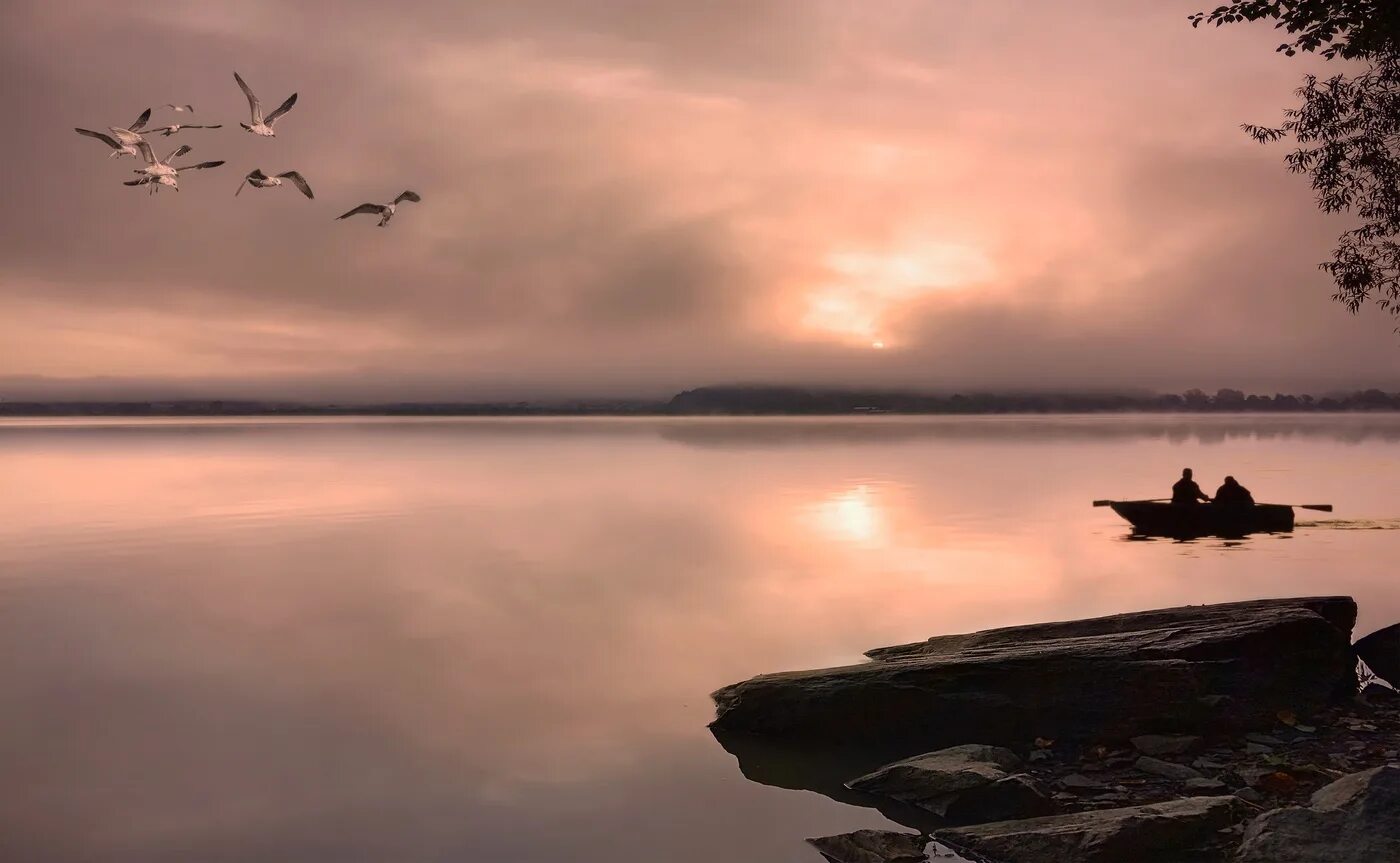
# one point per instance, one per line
(1160, 831)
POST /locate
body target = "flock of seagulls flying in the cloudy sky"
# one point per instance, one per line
(131, 141)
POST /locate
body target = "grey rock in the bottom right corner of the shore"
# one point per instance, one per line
(1352, 820)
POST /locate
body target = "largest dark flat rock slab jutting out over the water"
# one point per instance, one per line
(1189, 670)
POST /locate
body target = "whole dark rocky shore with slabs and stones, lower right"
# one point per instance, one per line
(1235, 732)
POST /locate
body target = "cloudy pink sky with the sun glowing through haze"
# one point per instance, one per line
(626, 198)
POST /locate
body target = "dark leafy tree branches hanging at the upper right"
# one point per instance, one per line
(1347, 130)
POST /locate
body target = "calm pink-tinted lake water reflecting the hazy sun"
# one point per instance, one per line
(495, 640)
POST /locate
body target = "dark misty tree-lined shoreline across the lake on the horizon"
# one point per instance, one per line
(747, 401)
